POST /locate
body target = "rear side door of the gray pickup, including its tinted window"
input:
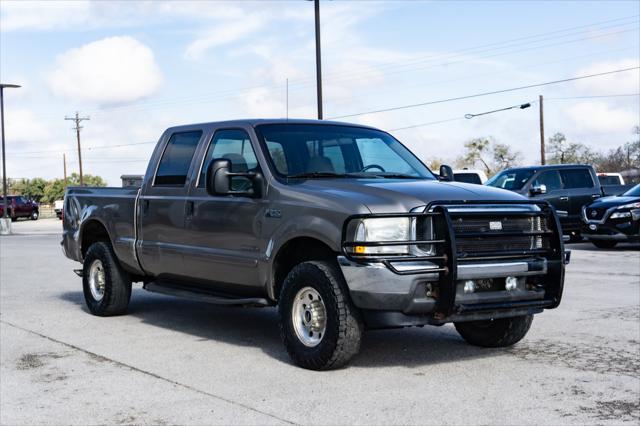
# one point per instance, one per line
(161, 208)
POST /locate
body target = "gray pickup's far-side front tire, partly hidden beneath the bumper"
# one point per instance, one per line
(496, 333)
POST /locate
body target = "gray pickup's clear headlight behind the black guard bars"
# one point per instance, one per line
(384, 229)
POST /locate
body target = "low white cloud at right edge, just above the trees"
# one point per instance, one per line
(601, 117)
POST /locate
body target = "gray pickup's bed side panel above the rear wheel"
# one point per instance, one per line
(113, 208)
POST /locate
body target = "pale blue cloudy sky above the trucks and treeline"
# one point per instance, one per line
(138, 67)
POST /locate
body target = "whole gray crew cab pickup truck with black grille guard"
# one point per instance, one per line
(339, 225)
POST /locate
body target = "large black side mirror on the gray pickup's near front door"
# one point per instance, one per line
(219, 180)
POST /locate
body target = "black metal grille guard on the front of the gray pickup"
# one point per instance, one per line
(446, 256)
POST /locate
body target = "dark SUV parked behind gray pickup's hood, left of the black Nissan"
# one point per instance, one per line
(567, 187)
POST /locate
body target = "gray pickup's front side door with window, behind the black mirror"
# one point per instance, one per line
(224, 232)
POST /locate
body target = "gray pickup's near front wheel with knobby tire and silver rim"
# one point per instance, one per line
(319, 326)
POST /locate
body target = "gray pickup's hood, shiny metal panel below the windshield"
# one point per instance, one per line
(399, 195)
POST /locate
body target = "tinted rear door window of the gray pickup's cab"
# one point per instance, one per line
(176, 159)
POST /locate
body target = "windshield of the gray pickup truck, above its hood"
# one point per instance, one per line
(319, 150)
